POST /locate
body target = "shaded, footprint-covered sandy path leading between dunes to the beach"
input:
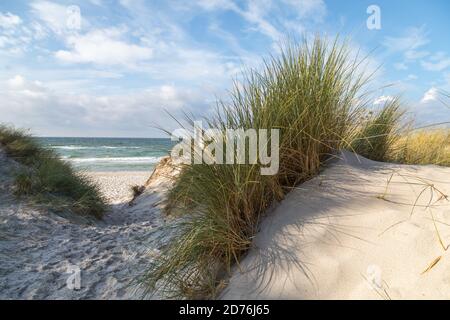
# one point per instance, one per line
(40, 251)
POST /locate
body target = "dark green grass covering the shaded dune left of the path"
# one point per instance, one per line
(47, 179)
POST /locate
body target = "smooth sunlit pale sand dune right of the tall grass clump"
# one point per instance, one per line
(336, 238)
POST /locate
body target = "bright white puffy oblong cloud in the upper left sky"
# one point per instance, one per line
(103, 47)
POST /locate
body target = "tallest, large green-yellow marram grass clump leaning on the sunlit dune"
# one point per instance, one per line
(314, 93)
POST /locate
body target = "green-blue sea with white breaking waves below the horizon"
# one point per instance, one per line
(110, 154)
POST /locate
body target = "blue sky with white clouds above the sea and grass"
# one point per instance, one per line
(117, 68)
